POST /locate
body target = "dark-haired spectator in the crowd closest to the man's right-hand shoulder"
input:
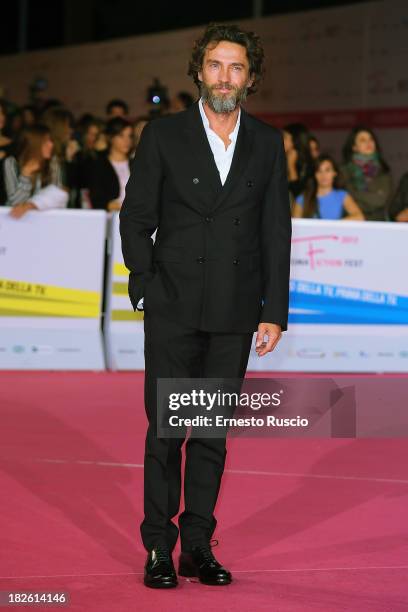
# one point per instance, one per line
(298, 158)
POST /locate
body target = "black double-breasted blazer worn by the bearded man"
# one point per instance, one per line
(220, 261)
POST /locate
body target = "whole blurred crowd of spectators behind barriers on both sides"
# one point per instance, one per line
(50, 160)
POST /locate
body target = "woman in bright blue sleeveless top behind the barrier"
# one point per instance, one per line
(323, 199)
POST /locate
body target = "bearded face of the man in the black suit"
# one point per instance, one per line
(224, 76)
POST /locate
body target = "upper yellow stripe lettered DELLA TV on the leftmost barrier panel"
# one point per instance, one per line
(42, 292)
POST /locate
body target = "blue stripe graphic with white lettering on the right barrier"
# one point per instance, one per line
(320, 303)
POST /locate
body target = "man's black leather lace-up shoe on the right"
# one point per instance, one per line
(202, 563)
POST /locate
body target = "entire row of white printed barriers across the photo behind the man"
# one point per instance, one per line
(348, 307)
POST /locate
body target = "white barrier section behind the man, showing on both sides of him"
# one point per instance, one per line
(348, 306)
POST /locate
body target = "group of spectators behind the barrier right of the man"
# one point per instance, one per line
(360, 188)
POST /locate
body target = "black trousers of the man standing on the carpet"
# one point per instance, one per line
(173, 350)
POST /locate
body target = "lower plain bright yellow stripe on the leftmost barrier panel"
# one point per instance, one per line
(44, 308)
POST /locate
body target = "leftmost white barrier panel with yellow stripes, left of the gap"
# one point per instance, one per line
(51, 283)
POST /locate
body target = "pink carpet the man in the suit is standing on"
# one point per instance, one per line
(304, 525)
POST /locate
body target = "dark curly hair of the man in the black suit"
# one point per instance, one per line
(216, 32)
